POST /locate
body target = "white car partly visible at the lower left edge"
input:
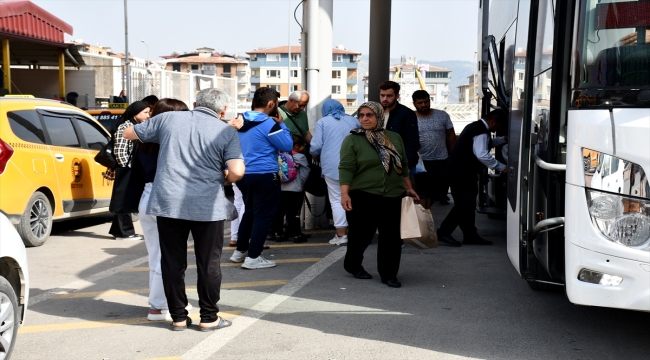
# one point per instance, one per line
(14, 286)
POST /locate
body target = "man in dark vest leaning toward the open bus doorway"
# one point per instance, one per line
(467, 160)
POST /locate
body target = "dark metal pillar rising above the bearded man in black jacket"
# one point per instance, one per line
(379, 53)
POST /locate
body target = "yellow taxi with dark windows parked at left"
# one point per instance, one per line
(47, 167)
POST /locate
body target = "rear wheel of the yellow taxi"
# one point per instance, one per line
(36, 223)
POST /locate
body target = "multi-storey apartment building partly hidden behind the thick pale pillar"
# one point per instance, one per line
(270, 67)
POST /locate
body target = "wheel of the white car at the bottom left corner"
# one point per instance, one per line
(9, 318)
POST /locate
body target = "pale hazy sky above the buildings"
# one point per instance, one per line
(434, 30)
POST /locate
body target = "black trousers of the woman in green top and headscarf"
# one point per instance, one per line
(369, 213)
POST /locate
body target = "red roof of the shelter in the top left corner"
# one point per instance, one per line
(24, 19)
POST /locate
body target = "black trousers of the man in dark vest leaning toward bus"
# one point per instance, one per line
(464, 189)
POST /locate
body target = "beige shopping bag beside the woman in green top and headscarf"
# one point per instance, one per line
(416, 225)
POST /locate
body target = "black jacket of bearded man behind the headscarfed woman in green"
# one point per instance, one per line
(403, 121)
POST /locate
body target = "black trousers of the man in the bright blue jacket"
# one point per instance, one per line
(261, 193)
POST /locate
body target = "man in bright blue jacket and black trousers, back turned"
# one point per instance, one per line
(261, 137)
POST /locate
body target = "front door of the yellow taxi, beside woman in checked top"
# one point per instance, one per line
(95, 138)
